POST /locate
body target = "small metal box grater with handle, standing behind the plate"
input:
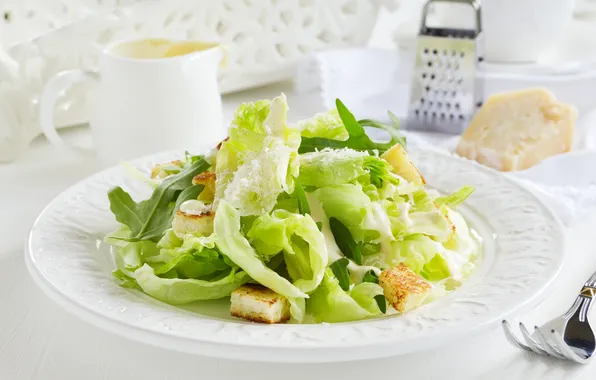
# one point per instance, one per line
(445, 91)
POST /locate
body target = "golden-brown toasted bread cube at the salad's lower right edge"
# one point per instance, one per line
(403, 289)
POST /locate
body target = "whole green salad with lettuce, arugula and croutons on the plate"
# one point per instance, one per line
(331, 224)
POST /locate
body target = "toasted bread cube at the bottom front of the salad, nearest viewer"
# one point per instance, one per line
(259, 304)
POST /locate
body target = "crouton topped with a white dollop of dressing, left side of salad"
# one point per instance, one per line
(193, 217)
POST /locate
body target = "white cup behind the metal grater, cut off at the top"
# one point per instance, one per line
(514, 30)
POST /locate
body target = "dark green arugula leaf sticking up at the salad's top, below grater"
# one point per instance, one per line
(358, 139)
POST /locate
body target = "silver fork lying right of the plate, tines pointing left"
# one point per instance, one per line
(569, 336)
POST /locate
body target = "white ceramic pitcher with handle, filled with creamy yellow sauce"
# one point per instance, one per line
(151, 95)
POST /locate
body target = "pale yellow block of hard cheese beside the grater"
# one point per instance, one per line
(517, 130)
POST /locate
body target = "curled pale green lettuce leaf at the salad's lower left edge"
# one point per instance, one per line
(176, 270)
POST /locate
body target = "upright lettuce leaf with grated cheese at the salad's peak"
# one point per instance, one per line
(259, 160)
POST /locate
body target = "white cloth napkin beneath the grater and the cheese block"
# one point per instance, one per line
(372, 81)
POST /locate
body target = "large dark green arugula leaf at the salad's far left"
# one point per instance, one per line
(149, 219)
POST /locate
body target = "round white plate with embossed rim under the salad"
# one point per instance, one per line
(523, 252)
